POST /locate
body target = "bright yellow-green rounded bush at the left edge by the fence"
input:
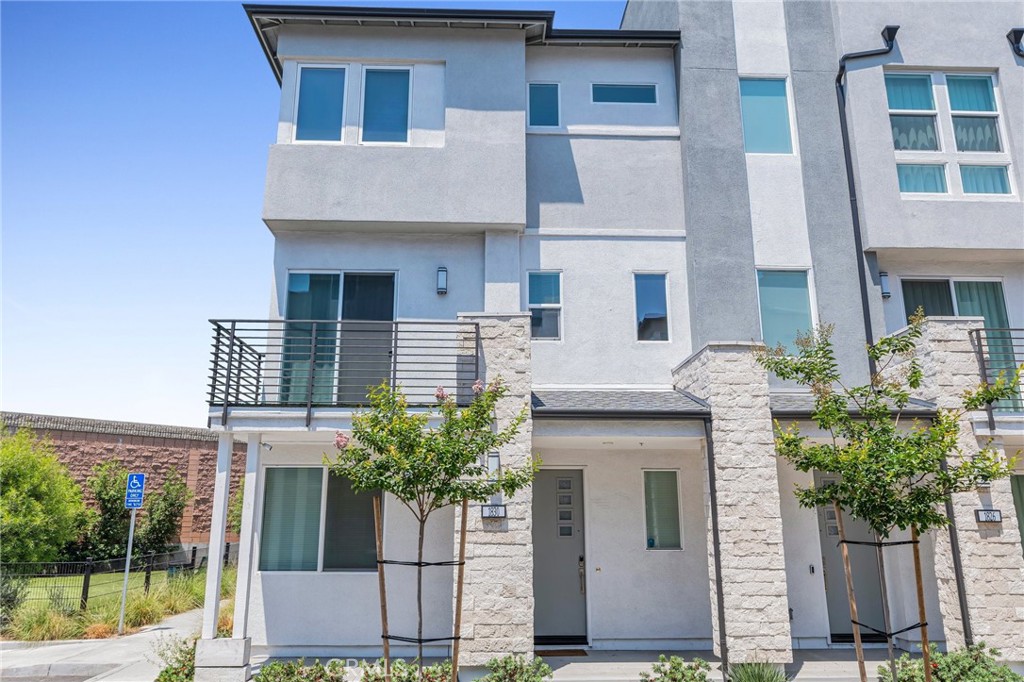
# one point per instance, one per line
(41, 509)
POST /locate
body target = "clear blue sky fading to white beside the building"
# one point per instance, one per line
(134, 142)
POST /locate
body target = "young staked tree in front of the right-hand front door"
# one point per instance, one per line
(890, 474)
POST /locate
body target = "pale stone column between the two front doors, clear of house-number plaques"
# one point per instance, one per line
(756, 606)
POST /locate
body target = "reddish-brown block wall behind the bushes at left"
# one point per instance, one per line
(195, 460)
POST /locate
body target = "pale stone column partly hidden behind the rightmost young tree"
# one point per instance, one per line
(994, 568)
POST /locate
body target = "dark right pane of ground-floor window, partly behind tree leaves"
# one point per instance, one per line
(350, 536)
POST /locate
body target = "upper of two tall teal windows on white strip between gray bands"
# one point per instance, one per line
(765, 115)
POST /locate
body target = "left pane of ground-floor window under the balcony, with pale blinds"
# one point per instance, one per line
(290, 534)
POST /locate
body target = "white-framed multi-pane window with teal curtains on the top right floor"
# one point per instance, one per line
(948, 135)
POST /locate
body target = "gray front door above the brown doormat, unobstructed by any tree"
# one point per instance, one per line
(560, 567)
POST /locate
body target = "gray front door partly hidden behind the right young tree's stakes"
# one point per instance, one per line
(864, 566)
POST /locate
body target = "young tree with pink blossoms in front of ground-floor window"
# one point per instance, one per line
(429, 468)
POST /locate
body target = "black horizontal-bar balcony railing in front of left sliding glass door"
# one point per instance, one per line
(334, 363)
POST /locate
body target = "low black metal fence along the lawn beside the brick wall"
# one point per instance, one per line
(72, 585)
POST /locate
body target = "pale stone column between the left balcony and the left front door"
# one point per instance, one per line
(498, 598)
